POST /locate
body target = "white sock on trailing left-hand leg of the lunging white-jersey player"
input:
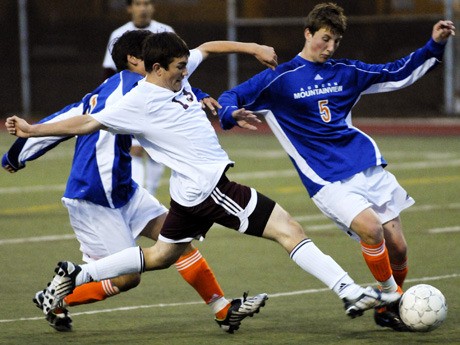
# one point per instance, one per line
(129, 260)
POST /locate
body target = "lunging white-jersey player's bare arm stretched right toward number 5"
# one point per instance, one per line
(265, 54)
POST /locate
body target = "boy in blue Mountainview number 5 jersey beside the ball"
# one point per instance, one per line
(307, 103)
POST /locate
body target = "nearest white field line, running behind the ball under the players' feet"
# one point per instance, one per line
(270, 295)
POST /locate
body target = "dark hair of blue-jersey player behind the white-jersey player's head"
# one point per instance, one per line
(130, 43)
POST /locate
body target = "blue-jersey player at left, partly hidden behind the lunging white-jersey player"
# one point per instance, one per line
(107, 209)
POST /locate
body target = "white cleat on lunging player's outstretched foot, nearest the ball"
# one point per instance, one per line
(369, 299)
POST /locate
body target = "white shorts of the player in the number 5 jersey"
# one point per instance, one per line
(375, 187)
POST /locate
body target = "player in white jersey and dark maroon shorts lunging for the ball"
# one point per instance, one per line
(163, 114)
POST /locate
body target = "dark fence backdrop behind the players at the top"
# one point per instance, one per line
(66, 40)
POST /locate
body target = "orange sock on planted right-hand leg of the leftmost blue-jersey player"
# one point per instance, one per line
(196, 271)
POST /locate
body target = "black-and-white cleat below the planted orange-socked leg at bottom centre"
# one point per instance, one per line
(241, 308)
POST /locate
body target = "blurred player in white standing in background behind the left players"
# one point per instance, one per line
(145, 171)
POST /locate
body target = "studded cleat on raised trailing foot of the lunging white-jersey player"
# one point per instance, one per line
(62, 284)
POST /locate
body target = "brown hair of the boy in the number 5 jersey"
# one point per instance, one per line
(327, 15)
